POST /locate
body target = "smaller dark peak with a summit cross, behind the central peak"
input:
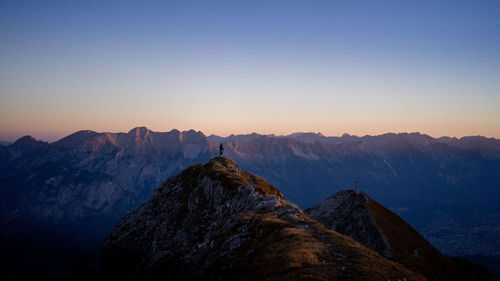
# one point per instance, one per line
(356, 215)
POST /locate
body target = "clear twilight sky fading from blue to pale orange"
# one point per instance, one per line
(223, 67)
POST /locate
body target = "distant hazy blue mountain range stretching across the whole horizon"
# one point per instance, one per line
(75, 189)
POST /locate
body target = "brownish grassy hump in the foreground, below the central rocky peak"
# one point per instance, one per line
(303, 249)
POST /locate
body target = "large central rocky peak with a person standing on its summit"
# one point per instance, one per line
(217, 222)
